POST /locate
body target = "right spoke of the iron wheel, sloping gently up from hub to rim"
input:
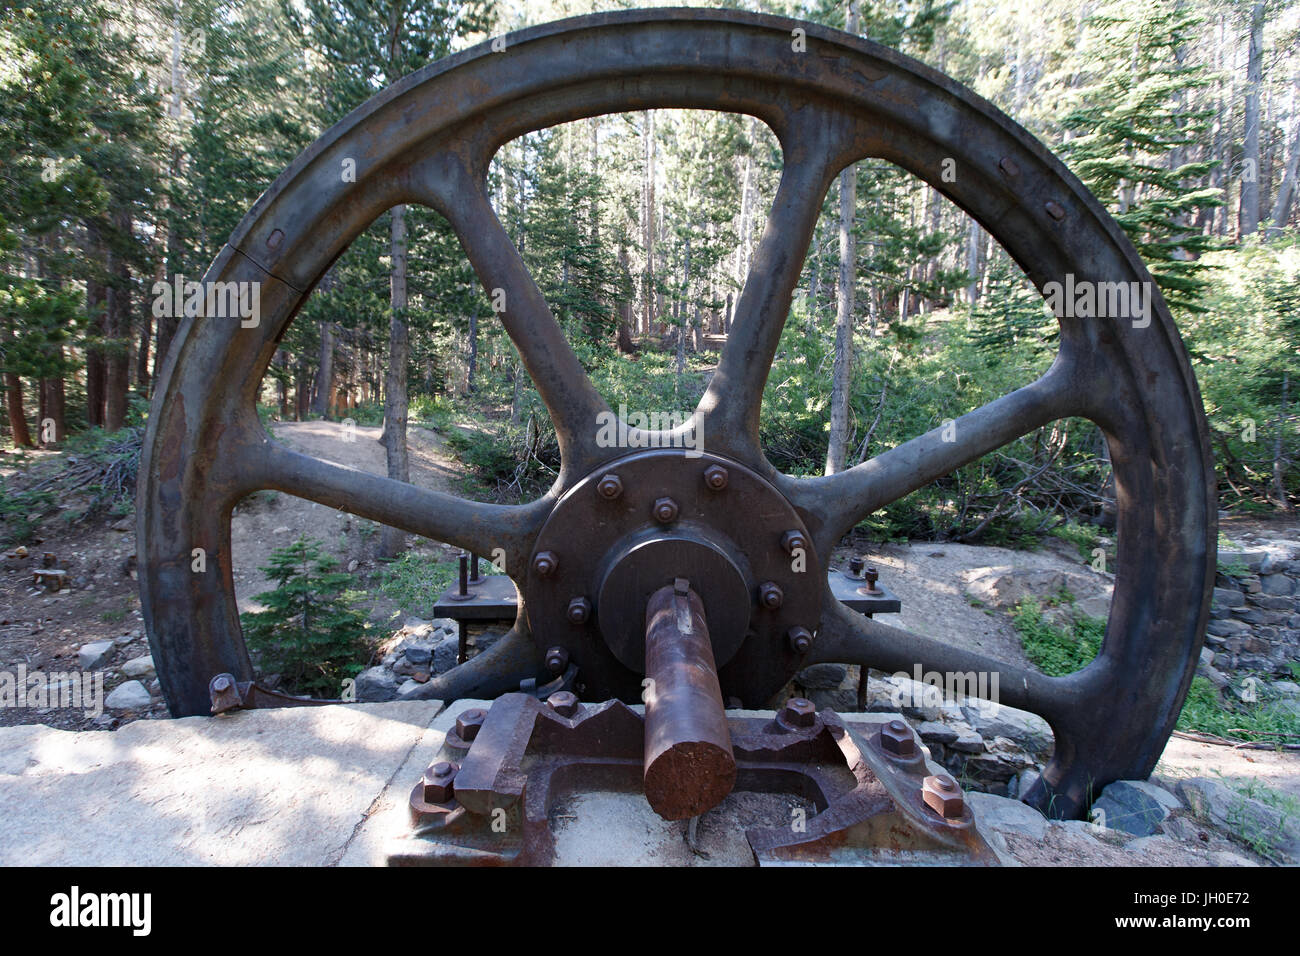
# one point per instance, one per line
(843, 500)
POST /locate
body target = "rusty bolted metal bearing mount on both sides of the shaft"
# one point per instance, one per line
(488, 797)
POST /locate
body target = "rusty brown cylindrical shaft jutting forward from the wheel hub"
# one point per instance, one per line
(690, 767)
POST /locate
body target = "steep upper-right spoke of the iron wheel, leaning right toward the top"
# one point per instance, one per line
(816, 148)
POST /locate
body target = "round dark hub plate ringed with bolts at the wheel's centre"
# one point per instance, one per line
(616, 550)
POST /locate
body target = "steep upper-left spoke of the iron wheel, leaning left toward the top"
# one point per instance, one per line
(566, 390)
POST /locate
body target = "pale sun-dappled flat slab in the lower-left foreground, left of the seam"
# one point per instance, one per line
(278, 788)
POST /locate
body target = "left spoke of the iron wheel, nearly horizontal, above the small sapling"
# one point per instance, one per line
(504, 533)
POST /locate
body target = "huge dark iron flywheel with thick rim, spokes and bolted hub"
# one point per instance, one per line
(831, 100)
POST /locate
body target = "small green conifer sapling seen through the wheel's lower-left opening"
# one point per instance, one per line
(310, 631)
